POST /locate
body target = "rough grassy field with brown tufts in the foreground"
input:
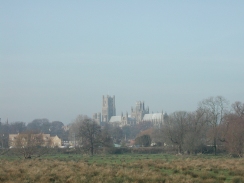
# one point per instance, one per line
(123, 168)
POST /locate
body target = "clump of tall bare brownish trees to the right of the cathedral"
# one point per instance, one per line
(212, 127)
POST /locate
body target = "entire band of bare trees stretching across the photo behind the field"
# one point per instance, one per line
(215, 126)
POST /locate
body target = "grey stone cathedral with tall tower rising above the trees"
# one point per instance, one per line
(138, 114)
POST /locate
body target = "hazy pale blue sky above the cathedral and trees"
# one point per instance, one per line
(58, 58)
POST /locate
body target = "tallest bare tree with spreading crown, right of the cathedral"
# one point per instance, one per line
(214, 109)
